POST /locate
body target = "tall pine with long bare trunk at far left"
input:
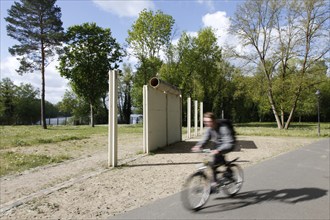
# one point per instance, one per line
(37, 25)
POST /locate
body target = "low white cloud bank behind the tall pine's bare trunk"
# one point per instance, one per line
(55, 85)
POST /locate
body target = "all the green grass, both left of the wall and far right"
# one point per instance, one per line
(34, 136)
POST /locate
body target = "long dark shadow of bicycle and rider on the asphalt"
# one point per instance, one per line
(289, 196)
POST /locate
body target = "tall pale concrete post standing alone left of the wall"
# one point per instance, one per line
(113, 123)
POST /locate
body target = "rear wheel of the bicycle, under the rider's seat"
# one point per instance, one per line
(233, 186)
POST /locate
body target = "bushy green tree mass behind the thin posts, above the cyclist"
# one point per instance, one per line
(195, 65)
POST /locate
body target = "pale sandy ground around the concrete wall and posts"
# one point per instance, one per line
(85, 188)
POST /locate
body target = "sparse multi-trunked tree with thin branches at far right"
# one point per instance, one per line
(282, 38)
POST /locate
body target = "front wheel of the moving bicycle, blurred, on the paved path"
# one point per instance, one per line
(196, 191)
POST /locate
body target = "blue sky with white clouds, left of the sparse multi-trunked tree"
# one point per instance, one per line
(118, 15)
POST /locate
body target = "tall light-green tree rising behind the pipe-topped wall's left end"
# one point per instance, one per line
(150, 34)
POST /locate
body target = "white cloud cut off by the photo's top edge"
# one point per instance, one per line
(124, 8)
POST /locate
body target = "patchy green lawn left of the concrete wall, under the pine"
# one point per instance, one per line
(34, 136)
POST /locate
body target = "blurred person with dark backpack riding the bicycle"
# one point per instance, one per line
(222, 134)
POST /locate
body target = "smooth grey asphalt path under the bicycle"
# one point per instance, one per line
(291, 186)
